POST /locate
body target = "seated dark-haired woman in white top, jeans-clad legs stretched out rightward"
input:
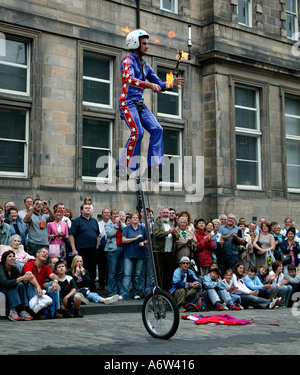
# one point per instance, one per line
(250, 297)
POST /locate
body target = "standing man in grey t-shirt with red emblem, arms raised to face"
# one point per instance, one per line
(37, 226)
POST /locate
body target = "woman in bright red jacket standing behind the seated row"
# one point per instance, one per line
(205, 246)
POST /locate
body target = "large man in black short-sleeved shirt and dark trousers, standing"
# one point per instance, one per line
(84, 238)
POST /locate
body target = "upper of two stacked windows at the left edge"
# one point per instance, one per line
(14, 67)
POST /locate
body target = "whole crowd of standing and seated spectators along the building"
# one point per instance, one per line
(77, 259)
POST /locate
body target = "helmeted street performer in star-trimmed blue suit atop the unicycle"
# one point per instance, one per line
(137, 75)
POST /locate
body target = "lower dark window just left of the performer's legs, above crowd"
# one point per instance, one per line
(97, 143)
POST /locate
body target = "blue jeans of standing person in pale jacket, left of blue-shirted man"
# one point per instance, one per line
(115, 260)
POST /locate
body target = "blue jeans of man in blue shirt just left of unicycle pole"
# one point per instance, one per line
(132, 270)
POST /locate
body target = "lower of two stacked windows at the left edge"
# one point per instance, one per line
(13, 141)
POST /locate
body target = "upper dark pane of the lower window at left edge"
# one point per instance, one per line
(13, 123)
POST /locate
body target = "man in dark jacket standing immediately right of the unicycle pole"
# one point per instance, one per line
(164, 237)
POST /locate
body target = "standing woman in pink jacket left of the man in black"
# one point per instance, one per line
(58, 233)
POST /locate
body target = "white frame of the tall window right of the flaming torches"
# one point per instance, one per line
(254, 133)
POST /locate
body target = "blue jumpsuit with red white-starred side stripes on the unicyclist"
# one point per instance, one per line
(138, 117)
